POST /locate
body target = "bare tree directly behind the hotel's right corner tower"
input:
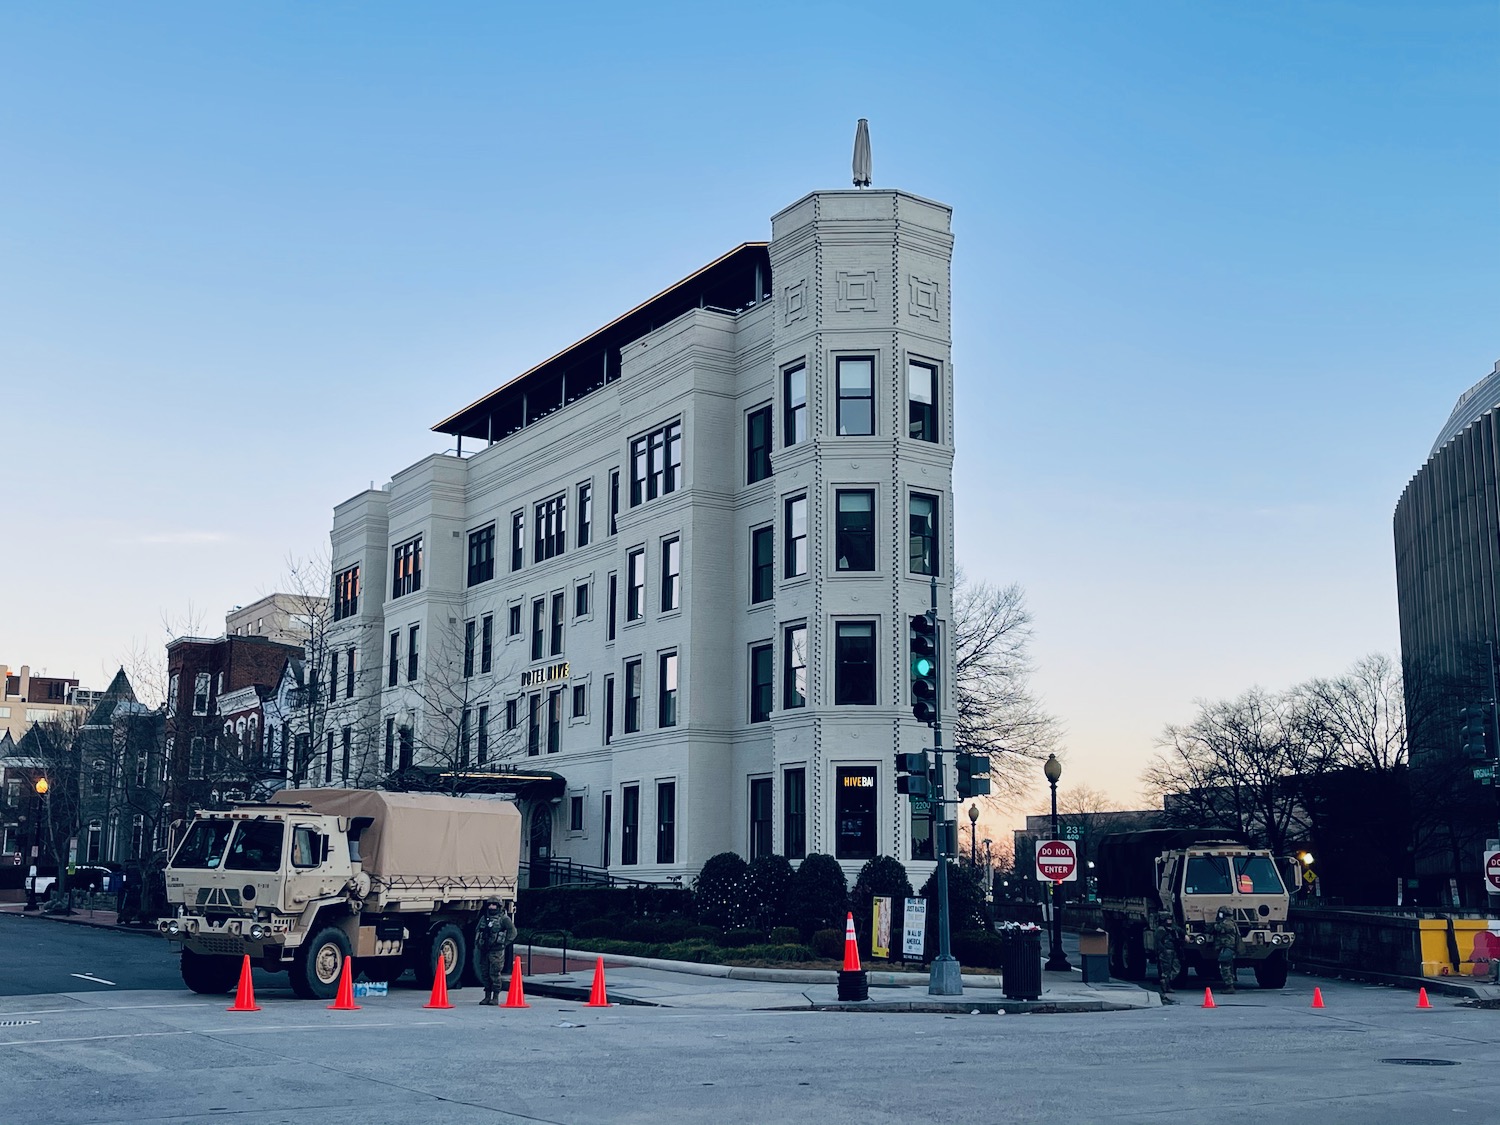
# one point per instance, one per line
(998, 713)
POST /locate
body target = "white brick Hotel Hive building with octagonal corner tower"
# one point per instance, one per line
(673, 565)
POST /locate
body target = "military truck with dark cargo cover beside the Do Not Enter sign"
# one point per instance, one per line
(1192, 874)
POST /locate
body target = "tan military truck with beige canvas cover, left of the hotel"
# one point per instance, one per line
(392, 880)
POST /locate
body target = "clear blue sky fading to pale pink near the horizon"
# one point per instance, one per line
(1222, 272)
